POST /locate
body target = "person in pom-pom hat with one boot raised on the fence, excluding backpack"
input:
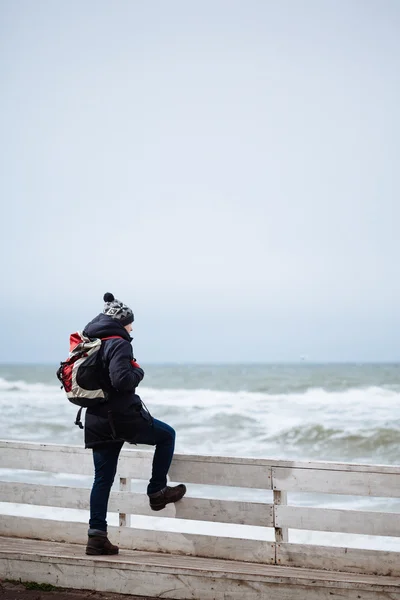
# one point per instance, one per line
(122, 418)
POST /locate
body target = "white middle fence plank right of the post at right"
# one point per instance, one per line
(342, 521)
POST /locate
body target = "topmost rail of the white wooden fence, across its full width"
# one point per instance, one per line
(208, 470)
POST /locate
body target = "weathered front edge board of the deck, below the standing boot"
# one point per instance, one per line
(109, 578)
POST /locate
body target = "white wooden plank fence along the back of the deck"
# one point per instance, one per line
(279, 476)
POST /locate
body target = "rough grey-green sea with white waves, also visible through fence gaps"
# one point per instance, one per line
(334, 412)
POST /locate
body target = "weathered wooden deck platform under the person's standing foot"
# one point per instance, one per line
(183, 577)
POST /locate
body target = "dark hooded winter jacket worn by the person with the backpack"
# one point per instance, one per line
(122, 417)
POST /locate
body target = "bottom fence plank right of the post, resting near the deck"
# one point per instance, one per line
(349, 560)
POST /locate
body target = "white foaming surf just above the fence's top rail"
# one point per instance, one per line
(355, 423)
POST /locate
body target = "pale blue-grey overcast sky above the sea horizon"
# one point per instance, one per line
(229, 169)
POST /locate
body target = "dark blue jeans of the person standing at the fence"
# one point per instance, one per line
(105, 460)
